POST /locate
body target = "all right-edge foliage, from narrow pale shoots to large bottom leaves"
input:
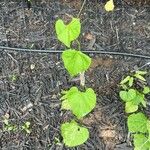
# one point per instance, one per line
(138, 124)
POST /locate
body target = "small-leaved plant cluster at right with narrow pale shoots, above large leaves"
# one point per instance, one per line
(131, 96)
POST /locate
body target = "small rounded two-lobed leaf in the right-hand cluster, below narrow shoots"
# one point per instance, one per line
(127, 95)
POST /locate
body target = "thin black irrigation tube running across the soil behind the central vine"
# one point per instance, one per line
(3, 48)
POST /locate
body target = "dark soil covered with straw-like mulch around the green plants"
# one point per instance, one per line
(30, 83)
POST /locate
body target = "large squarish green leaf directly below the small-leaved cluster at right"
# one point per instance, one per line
(137, 123)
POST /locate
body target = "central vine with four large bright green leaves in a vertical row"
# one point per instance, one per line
(80, 103)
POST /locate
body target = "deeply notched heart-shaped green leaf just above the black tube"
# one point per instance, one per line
(68, 33)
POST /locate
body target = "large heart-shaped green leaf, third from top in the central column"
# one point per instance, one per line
(80, 103)
